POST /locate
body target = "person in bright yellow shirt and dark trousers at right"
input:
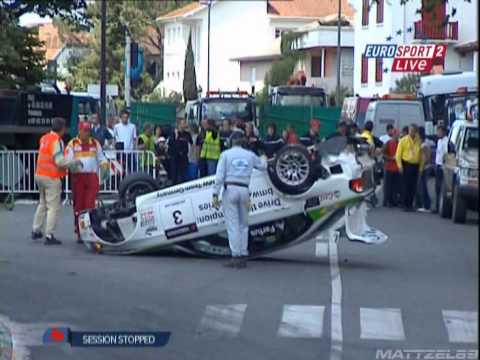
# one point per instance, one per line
(409, 160)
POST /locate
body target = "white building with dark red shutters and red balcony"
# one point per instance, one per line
(390, 22)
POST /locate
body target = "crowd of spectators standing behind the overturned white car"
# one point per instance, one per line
(188, 151)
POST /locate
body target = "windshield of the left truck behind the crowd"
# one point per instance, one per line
(221, 110)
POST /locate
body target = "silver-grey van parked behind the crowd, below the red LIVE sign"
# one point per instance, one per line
(399, 113)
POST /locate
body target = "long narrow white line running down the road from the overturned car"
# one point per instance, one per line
(336, 336)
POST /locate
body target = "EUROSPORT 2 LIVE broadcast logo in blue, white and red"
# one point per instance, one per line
(408, 58)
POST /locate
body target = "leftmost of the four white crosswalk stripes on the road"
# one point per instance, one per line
(221, 321)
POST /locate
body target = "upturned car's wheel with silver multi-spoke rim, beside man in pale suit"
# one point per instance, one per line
(292, 171)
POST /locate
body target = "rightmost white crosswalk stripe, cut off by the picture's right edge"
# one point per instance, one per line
(461, 326)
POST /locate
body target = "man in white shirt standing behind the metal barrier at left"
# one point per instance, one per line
(125, 135)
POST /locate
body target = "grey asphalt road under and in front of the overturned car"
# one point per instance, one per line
(418, 291)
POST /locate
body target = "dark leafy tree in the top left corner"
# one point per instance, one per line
(21, 61)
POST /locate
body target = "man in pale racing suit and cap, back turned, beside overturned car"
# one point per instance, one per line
(234, 171)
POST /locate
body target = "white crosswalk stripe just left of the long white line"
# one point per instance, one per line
(302, 321)
